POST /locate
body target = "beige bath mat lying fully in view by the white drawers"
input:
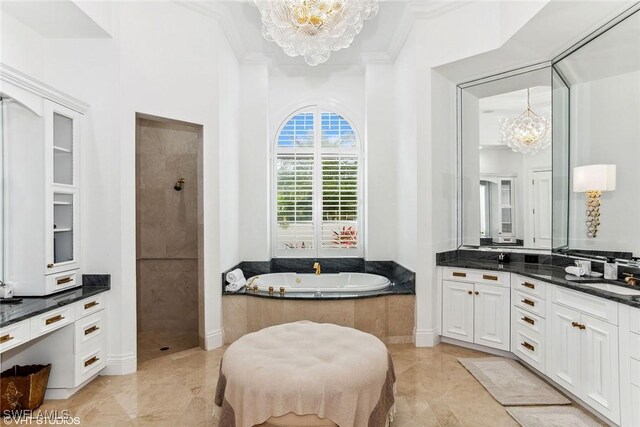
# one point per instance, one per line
(511, 384)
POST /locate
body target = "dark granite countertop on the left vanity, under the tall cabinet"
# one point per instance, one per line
(32, 306)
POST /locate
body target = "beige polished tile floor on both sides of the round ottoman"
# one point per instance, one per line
(177, 389)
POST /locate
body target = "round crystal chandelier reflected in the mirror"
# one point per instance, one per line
(528, 133)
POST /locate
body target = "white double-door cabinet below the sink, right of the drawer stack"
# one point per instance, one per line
(582, 354)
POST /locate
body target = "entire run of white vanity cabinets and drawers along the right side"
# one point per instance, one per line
(570, 337)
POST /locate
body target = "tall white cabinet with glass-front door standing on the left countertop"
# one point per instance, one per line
(42, 242)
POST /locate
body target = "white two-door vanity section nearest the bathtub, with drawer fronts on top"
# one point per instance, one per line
(476, 306)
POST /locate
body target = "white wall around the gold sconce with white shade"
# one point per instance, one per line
(605, 130)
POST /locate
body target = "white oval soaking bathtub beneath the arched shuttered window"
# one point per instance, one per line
(340, 282)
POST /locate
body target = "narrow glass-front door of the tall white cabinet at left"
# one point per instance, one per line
(61, 175)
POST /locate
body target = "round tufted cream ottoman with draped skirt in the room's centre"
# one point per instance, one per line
(306, 374)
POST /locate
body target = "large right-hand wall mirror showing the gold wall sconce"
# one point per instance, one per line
(597, 143)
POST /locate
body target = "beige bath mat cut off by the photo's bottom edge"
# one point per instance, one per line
(551, 416)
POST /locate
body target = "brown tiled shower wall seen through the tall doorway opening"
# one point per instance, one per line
(167, 227)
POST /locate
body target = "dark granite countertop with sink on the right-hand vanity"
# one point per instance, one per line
(547, 273)
